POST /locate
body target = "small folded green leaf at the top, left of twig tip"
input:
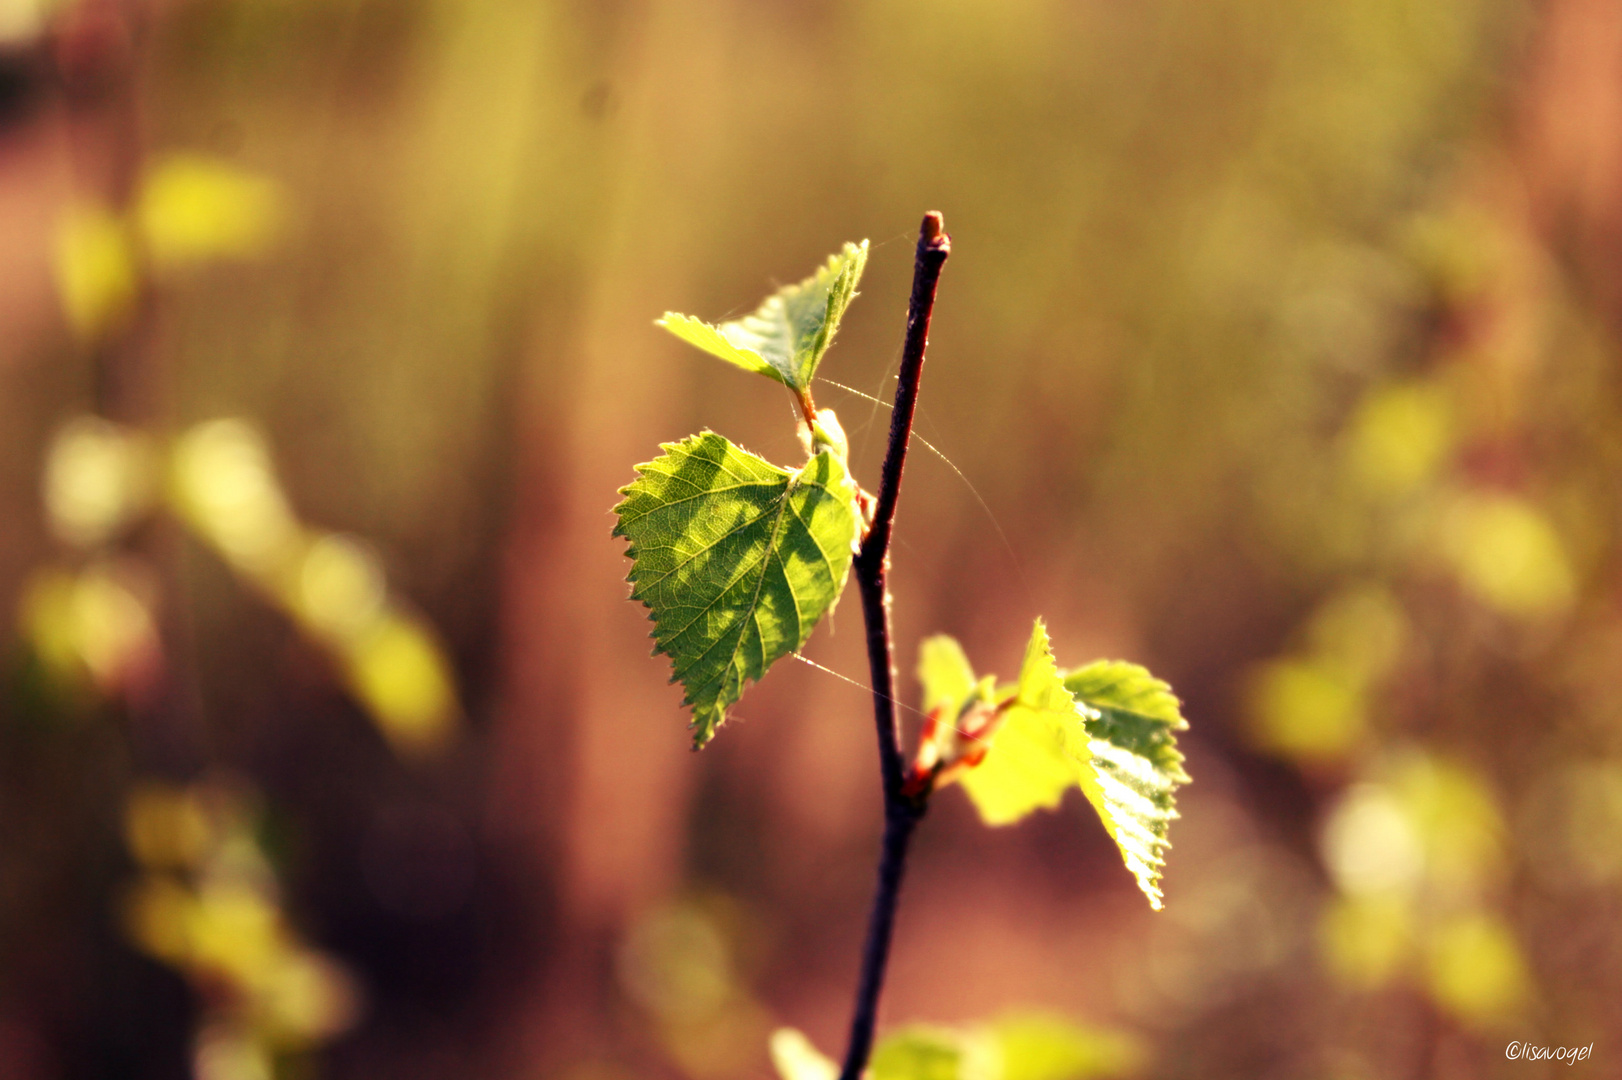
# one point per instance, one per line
(789, 333)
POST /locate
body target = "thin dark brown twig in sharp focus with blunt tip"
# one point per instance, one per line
(872, 567)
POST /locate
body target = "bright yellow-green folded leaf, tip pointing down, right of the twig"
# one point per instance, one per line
(1107, 729)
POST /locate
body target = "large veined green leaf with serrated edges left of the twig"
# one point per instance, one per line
(737, 562)
